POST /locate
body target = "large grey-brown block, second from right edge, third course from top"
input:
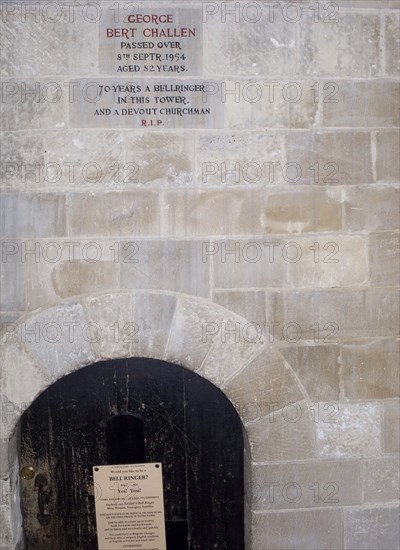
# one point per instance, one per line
(329, 158)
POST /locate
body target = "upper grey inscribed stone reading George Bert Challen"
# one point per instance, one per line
(152, 42)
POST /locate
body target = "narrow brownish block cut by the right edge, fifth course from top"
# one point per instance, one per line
(384, 258)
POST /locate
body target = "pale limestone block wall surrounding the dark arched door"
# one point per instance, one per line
(286, 216)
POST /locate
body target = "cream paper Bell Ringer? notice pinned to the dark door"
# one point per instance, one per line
(130, 507)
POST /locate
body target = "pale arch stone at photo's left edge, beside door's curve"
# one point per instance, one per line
(22, 378)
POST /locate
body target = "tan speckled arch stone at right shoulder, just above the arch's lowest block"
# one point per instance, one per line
(262, 387)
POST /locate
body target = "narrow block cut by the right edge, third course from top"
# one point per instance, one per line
(387, 156)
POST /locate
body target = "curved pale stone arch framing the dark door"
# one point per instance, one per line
(192, 332)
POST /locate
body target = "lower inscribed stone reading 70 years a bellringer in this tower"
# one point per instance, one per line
(145, 103)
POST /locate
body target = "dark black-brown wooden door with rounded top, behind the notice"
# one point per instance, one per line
(125, 412)
